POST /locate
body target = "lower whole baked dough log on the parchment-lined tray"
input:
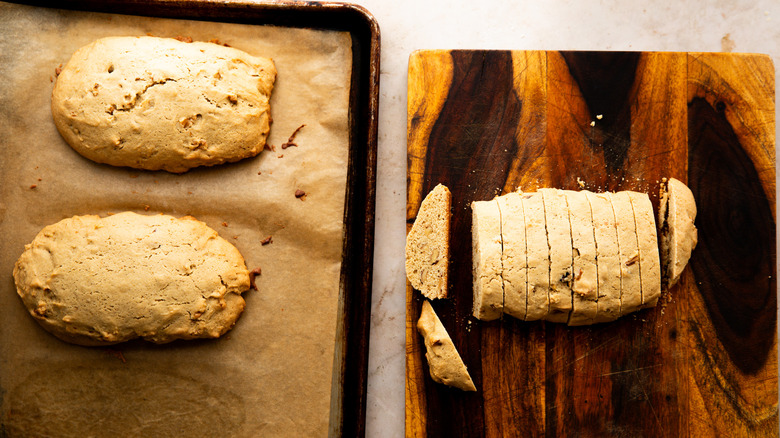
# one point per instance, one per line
(98, 281)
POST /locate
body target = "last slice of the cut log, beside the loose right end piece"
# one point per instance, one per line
(649, 260)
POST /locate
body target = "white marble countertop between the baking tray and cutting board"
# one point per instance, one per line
(408, 25)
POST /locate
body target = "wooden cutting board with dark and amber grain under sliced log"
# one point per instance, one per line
(702, 363)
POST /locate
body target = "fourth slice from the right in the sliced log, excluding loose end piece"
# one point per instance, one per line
(585, 273)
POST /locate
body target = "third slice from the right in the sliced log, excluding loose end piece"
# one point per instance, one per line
(608, 257)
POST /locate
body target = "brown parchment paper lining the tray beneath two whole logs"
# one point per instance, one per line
(272, 375)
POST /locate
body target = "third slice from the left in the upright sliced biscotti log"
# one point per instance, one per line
(538, 299)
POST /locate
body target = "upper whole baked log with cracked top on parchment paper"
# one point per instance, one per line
(158, 103)
